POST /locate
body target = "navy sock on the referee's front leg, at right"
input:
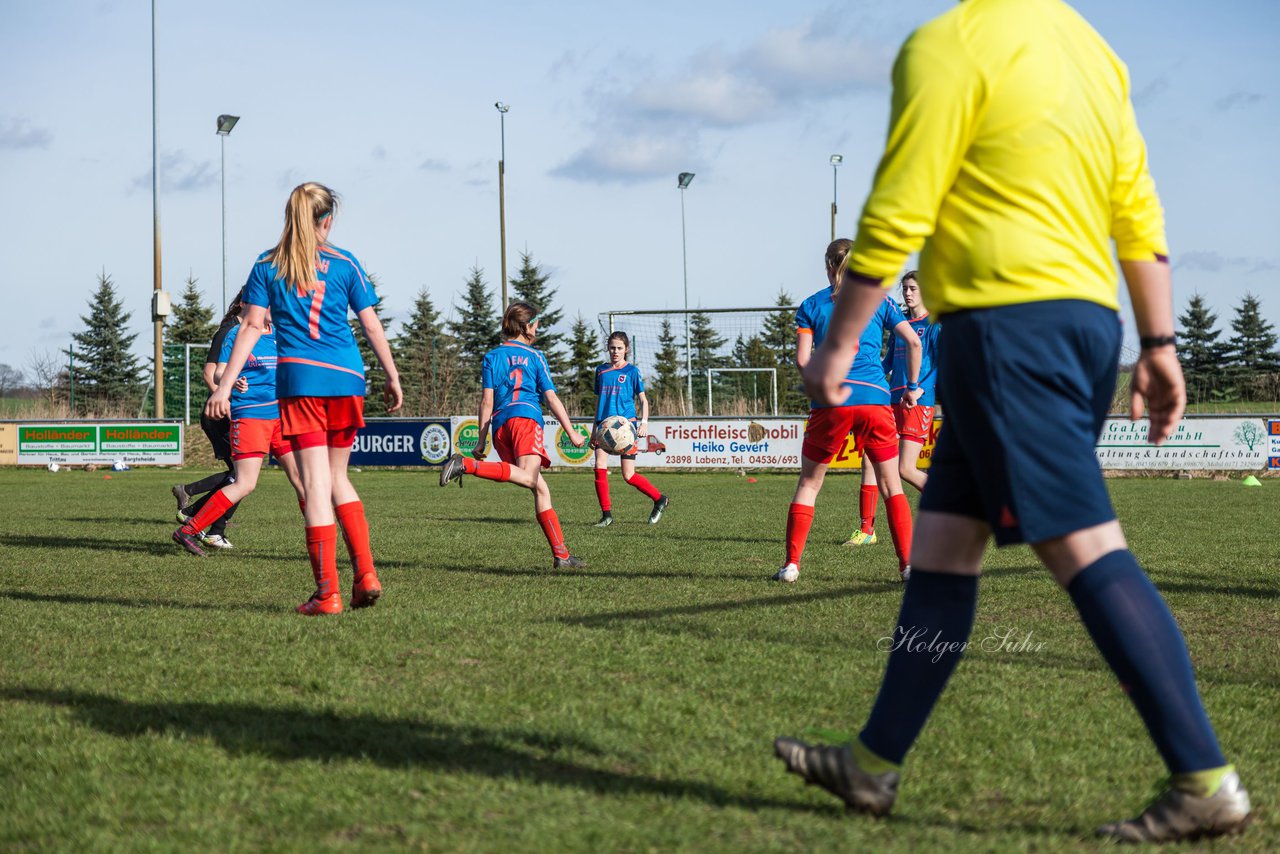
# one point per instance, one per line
(1140, 640)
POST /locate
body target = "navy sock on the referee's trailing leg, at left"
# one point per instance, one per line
(932, 632)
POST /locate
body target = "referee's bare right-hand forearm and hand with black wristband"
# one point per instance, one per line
(1158, 378)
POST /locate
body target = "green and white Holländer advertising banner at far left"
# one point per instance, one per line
(75, 444)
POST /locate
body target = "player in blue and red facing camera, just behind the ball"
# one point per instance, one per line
(619, 386)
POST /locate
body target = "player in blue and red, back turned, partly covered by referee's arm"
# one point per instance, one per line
(863, 413)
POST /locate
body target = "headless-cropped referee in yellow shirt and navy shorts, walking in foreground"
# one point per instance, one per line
(1014, 158)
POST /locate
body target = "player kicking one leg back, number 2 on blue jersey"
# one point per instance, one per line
(516, 381)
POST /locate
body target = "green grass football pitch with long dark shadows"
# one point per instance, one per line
(154, 701)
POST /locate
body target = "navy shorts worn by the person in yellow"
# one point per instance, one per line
(1026, 391)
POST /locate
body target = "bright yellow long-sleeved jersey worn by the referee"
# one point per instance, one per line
(1013, 157)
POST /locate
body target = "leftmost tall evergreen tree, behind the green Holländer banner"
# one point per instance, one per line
(107, 372)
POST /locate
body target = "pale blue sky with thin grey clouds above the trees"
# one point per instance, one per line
(391, 103)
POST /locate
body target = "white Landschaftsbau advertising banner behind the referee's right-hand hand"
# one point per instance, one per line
(1197, 444)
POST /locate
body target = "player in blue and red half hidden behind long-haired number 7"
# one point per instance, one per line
(255, 432)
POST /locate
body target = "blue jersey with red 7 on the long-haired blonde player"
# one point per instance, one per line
(318, 353)
